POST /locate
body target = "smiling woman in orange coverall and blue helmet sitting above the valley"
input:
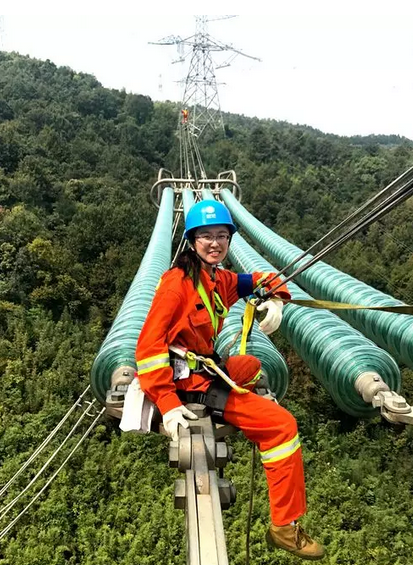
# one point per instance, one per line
(187, 313)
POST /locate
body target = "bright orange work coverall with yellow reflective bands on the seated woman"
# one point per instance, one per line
(178, 316)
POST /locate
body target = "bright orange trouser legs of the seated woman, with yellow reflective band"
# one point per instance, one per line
(274, 430)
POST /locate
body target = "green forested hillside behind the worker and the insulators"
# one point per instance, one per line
(77, 161)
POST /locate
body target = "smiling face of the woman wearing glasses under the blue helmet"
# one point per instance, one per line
(211, 244)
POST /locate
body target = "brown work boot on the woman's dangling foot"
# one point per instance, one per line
(295, 540)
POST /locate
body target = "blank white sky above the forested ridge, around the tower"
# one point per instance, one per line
(342, 67)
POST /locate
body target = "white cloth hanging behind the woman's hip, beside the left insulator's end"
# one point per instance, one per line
(137, 410)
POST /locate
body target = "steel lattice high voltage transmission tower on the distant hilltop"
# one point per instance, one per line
(200, 103)
